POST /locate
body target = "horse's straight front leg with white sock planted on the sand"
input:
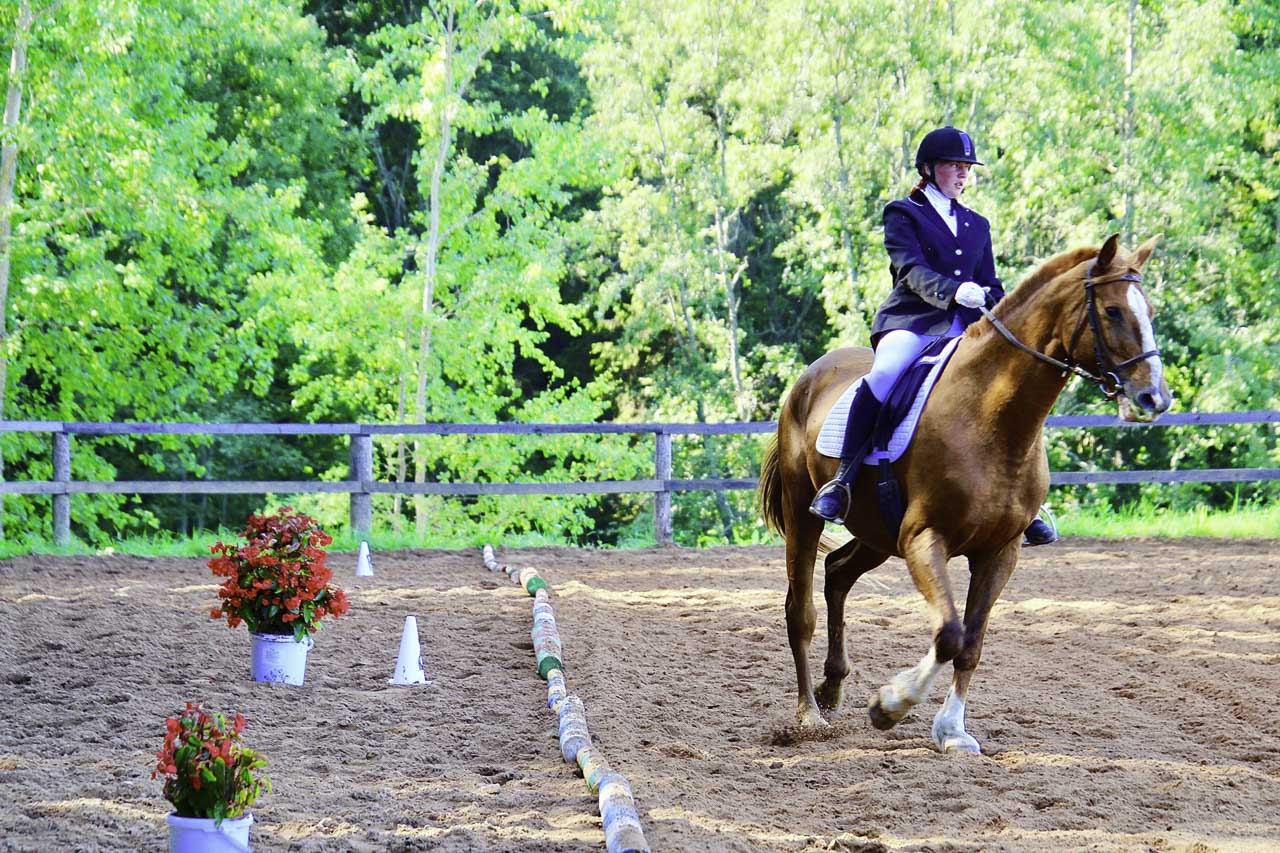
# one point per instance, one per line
(988, 581)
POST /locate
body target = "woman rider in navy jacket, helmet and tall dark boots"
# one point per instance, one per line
(944, 271)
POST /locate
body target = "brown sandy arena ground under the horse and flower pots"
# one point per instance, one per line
(1127, 701)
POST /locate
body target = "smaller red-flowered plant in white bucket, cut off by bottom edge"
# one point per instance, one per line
(211, 779)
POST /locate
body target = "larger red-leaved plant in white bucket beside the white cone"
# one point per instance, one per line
(278, 585)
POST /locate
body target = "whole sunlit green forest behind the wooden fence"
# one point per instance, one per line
(580, 211)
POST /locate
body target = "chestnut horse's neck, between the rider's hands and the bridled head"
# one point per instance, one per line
(1016, 393)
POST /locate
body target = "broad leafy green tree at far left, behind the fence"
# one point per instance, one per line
(145, 239)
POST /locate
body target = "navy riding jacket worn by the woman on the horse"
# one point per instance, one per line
(929, 264)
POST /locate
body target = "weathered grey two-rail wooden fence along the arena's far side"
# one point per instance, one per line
(362, 485)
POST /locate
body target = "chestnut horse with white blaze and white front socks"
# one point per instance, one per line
(973, 478)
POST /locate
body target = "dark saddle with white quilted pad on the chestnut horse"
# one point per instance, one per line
(895, 426)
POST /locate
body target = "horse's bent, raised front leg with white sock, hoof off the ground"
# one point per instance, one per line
(927, 560)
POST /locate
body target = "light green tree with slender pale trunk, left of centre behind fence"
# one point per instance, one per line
(440, 313)
